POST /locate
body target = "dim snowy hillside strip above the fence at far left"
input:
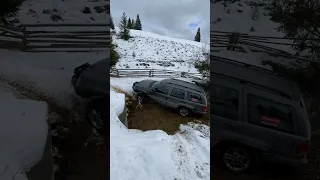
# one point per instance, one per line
(61, 11)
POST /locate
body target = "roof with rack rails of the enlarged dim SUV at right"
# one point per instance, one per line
(256, 76)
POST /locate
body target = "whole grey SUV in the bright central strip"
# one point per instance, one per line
(185, 97)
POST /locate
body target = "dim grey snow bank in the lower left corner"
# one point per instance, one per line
(23, 132)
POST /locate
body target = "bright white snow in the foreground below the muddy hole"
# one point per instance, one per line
(155, 154)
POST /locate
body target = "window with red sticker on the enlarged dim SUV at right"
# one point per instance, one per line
(270, 114)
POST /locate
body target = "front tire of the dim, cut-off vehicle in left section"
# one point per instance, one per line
(97, 114)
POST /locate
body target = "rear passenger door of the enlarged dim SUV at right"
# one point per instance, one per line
(225, 105)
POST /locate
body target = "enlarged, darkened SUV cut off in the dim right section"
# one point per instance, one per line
(256, 115)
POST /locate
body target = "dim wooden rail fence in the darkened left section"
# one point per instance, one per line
(55, 37)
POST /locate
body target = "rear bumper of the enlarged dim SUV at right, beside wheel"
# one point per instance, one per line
(282, 159)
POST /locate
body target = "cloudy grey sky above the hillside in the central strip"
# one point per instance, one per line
(174, 18)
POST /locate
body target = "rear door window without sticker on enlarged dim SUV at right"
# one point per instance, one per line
(224, 102)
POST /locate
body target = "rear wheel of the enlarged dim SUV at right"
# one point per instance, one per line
(239, 159)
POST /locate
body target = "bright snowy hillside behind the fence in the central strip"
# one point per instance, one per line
(146, 50)
